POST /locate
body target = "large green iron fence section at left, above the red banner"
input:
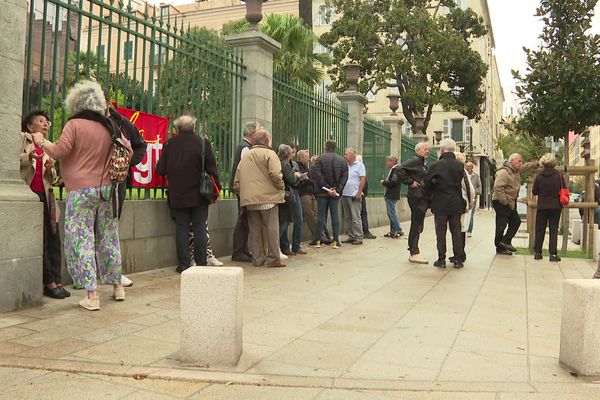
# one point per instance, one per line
(146, 58)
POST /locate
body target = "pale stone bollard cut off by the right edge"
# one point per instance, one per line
(580, 326)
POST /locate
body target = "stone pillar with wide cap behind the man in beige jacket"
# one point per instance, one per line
(257, 88)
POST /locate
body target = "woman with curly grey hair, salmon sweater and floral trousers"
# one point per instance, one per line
(84, 149)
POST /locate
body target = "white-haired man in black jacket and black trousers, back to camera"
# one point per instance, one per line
(444, 183)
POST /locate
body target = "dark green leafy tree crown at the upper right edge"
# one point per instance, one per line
(560, 90)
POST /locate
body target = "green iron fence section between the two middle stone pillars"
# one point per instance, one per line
(306, 117)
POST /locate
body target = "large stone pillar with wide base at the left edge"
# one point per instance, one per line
(21, 215)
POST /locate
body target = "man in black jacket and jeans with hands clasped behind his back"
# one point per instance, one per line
(330, 174)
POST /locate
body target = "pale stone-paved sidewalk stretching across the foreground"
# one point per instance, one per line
(359, 322)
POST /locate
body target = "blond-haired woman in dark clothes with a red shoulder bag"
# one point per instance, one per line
(546, 186)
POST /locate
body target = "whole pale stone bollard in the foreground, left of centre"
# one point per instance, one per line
(211, 316)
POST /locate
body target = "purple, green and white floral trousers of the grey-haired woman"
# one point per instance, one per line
(91, 238)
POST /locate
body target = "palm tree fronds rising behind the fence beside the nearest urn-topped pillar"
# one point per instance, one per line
(296, 57)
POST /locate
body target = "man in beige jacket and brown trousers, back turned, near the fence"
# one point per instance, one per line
(259, 182)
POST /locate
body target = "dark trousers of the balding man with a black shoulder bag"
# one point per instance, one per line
(197, 216)
